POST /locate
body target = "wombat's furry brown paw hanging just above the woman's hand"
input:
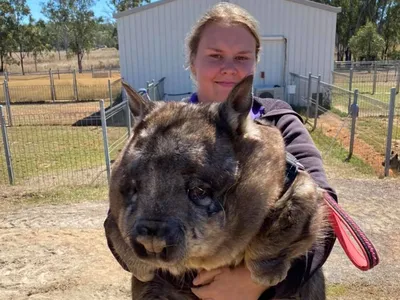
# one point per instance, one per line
(268, 272)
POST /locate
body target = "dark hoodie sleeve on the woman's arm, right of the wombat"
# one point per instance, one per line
(299, 143)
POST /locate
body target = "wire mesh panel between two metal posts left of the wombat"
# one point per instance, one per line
(56, 145)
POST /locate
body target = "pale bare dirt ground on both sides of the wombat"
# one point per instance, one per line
(60, 252)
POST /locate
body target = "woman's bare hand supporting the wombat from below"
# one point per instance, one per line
(226, 283)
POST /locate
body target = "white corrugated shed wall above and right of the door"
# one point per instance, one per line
(310, 33)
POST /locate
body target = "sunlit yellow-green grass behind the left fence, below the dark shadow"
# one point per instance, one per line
(54, 155)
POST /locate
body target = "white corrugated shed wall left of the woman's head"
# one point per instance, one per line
(152, 44)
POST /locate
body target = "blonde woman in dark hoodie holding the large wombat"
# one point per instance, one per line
(223, 47)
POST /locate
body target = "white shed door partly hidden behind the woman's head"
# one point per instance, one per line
(272, 62)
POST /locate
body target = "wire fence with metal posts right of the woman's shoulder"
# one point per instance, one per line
(353, 125)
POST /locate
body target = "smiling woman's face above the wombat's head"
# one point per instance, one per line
(225, 55)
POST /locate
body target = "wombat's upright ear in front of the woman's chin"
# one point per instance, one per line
(238, 104)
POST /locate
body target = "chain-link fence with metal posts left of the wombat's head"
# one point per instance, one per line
(61, 144)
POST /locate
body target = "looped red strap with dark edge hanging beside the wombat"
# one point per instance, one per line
(362, 253)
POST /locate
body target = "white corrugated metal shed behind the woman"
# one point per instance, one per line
(297, 36)
